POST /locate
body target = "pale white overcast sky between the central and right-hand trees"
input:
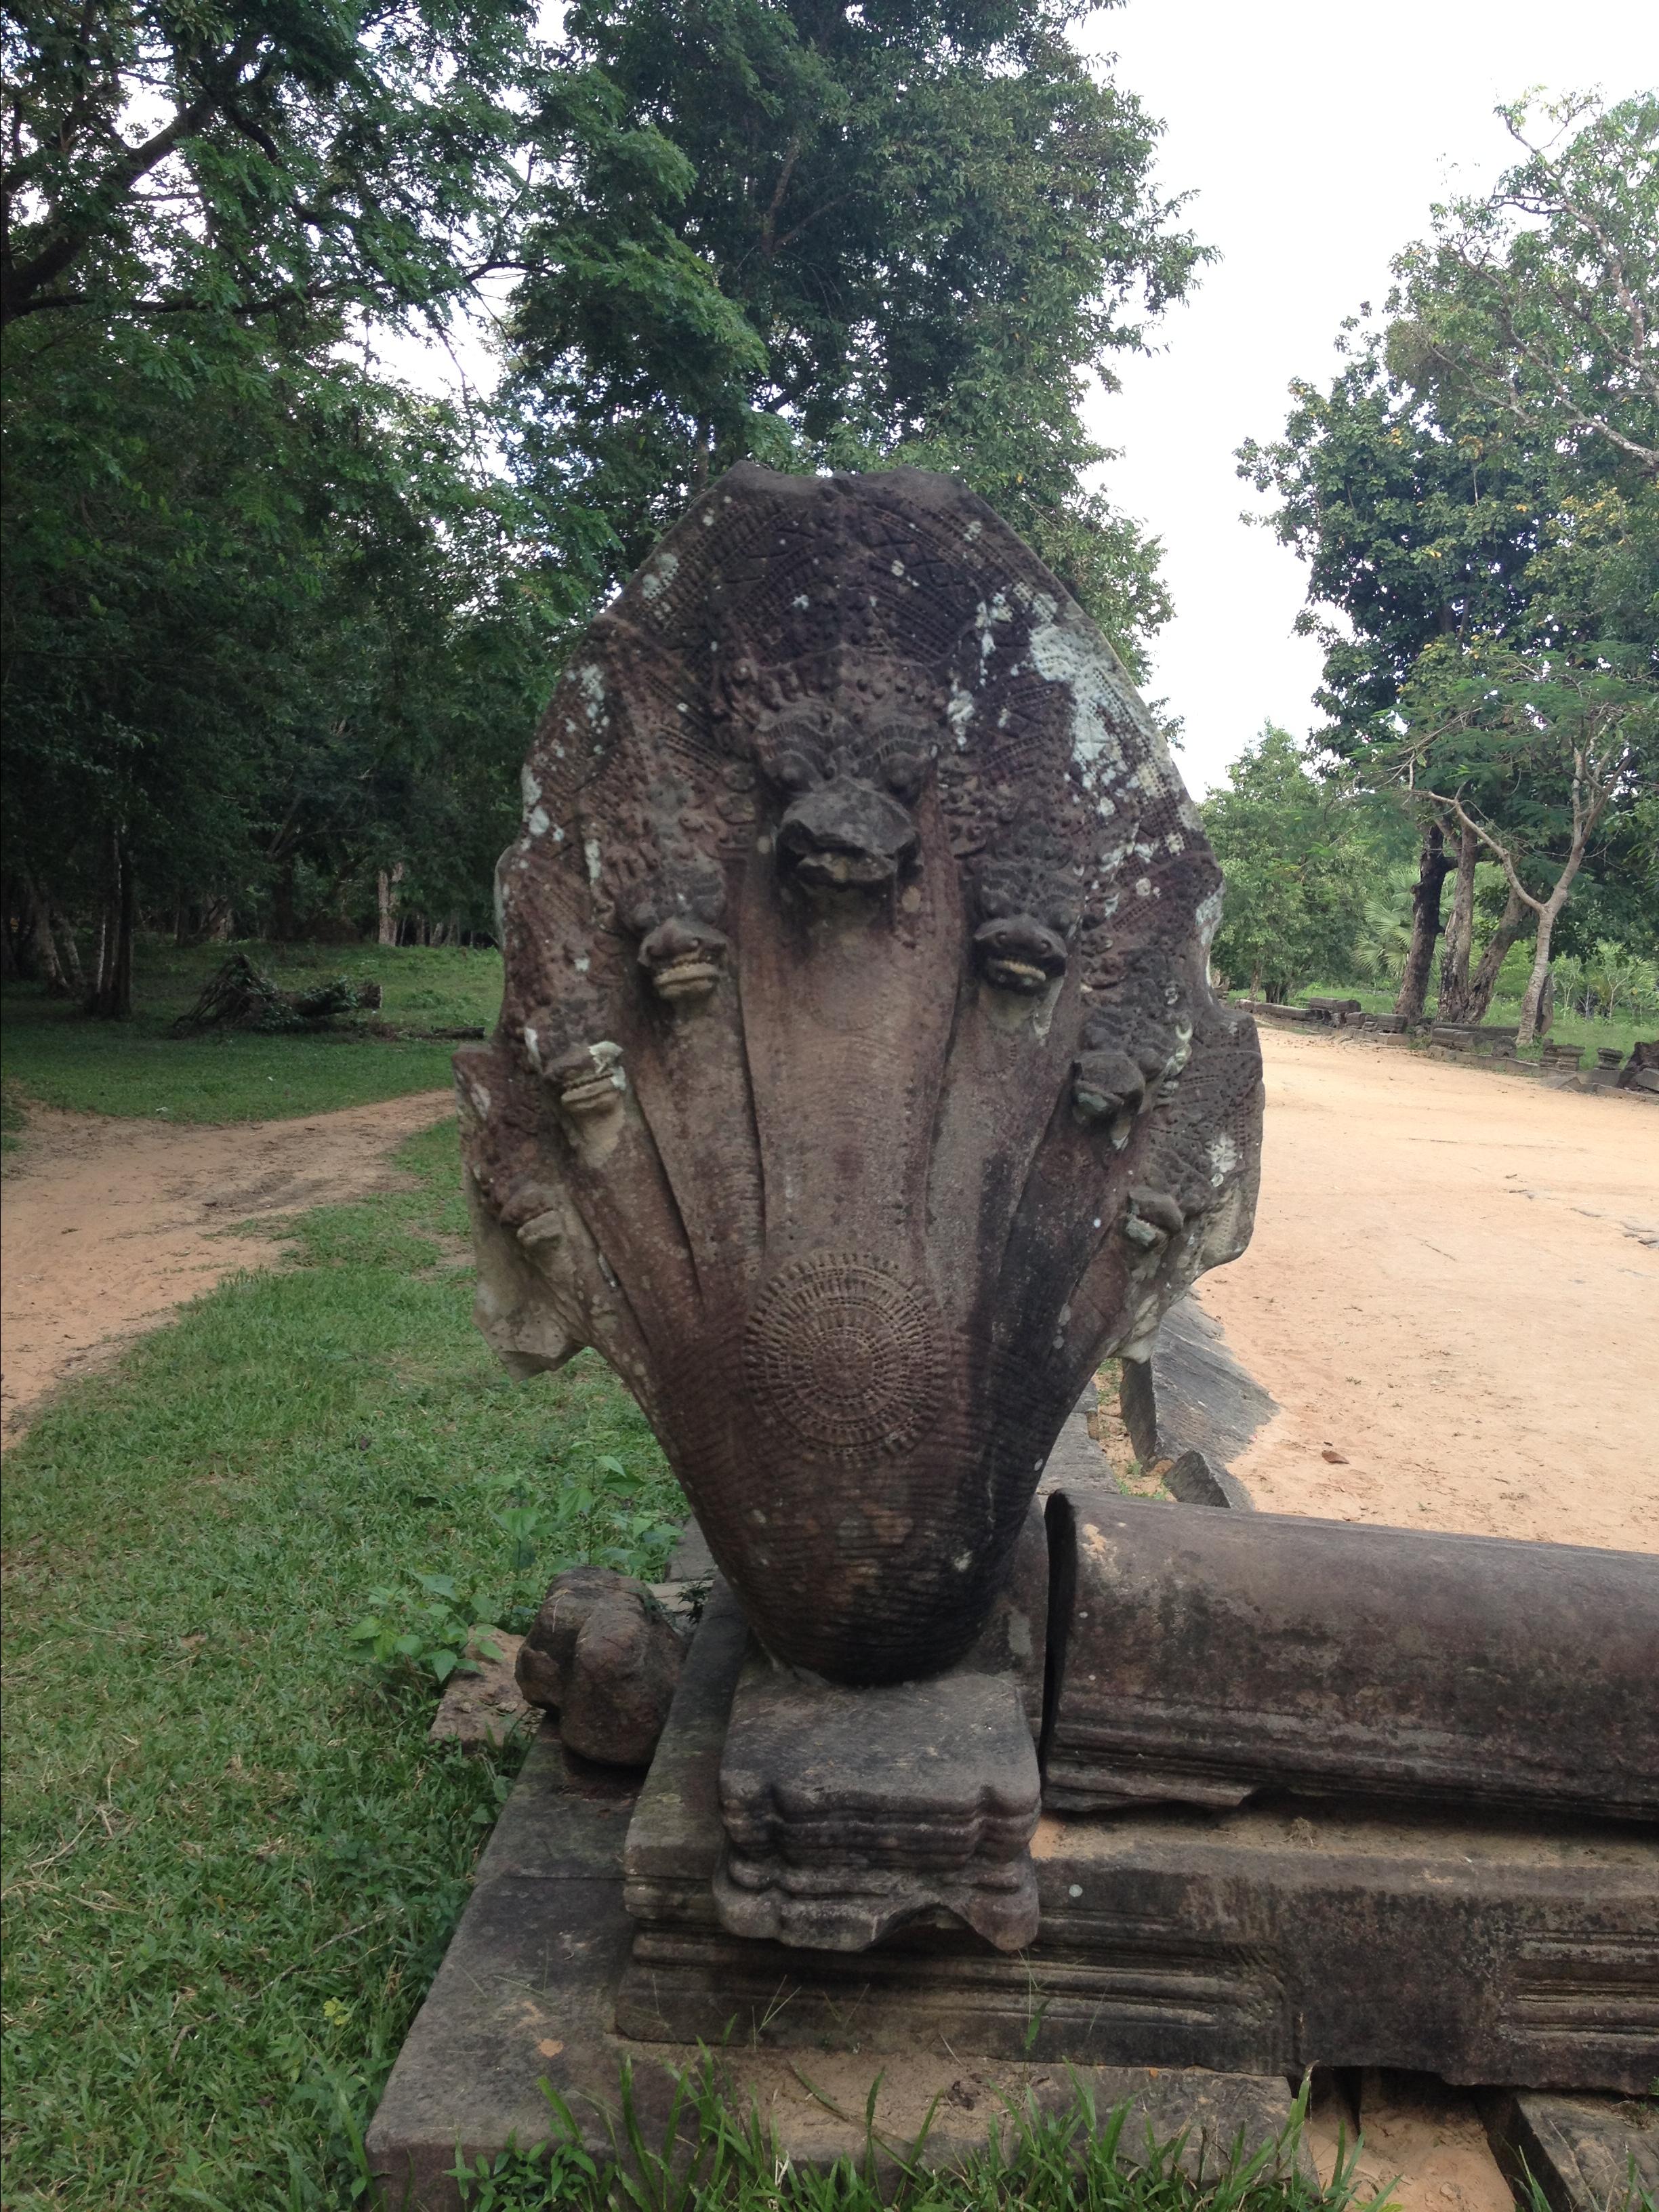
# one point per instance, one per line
(1315, 136)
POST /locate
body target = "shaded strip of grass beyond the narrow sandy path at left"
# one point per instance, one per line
(56, 1056)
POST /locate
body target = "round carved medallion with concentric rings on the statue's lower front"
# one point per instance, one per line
(842, 1357)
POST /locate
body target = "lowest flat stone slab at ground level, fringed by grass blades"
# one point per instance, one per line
(528, 1996)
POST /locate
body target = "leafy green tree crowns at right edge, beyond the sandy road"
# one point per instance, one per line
(1479, 505)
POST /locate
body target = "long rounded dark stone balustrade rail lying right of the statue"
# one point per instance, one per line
(1202, 1658)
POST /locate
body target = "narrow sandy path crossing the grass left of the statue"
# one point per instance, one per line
(107, 1227)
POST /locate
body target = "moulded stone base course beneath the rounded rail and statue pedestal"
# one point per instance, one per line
(1255, 1941)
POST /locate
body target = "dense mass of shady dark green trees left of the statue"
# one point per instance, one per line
(242, 574)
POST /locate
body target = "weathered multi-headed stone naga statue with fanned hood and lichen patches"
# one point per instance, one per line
(857, 1085)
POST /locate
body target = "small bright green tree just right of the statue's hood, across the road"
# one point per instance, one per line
(1295, 870)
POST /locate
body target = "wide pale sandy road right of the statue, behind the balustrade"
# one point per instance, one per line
(1454, 1284)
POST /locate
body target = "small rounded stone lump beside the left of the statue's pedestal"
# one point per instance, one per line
(605, 1658)
